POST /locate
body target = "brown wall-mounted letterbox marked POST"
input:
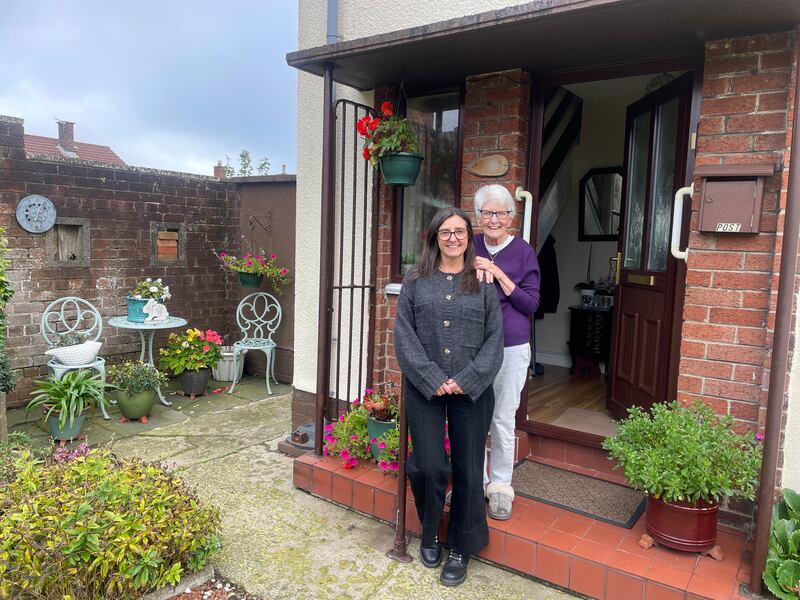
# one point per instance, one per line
(731, 197)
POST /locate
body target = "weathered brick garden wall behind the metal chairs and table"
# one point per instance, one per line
(120, 204)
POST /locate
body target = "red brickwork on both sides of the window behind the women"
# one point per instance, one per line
(496, 109)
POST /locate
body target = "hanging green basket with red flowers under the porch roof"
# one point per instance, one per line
(390, 142)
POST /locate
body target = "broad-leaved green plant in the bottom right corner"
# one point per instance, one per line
(782, 574)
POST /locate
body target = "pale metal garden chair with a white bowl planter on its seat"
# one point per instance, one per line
(72, 315)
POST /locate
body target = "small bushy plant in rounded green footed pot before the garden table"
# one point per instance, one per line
(135, 384)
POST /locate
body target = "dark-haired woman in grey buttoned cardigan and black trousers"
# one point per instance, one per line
(448, 338)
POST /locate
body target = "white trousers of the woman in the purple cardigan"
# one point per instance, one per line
(507, 389)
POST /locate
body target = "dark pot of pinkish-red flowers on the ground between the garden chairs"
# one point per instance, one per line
(191, 356)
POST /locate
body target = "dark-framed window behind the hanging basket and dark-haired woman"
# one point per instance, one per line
(436, 121)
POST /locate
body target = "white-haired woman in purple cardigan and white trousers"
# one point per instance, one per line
(511, 264)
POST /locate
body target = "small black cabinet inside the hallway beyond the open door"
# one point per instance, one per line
(590, 334)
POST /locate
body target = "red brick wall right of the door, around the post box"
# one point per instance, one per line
(731, 282)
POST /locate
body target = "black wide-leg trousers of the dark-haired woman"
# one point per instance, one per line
(428, 467)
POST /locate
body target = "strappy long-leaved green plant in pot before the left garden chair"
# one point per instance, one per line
(66, 401)
